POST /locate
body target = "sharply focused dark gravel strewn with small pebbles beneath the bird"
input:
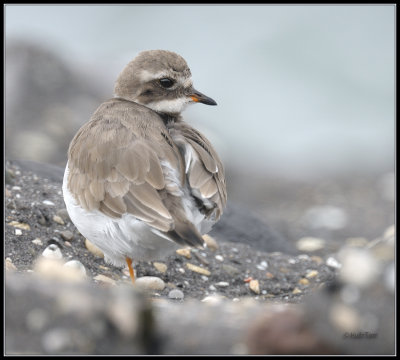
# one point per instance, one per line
(232, 270)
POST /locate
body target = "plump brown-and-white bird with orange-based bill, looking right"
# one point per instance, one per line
(140, 182)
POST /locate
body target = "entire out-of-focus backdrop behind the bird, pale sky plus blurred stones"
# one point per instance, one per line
(305, 120)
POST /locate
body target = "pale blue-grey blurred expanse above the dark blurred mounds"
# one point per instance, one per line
(302, 90)
